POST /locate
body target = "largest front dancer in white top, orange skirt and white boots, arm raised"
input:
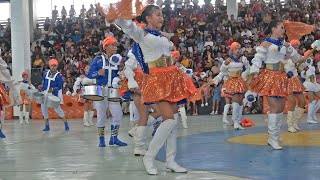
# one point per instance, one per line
(163, 83)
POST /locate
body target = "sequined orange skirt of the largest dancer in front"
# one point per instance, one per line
(166, 84)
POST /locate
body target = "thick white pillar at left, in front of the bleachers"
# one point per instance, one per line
(20, 39)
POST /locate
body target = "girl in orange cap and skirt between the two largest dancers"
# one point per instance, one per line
(235, 85)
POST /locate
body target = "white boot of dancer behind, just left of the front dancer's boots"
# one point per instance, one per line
(140, 140)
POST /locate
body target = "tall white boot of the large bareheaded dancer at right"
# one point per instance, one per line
(274, 130)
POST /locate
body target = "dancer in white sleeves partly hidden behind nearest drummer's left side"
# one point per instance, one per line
(80, 82)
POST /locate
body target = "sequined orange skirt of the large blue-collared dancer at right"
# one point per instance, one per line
(271, 83)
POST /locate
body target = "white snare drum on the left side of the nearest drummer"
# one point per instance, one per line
(93, 93)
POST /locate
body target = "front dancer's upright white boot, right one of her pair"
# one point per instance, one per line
(171, 150)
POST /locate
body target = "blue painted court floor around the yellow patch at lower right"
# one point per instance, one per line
(212, 152)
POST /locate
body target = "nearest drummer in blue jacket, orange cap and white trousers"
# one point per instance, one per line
(99, 71)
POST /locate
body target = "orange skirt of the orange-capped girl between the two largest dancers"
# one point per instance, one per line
(235, 86)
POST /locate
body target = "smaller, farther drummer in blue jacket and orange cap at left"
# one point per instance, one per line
(52, 85)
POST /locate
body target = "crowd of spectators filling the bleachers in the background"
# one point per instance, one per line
(202, 34)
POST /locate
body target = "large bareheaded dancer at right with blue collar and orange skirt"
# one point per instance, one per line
(273, 81)
